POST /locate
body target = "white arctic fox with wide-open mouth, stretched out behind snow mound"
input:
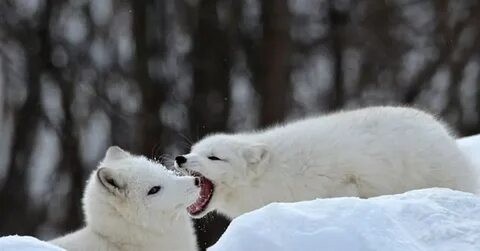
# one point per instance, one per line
(363, 153)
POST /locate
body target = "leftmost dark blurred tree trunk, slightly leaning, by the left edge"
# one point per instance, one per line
(16, 213)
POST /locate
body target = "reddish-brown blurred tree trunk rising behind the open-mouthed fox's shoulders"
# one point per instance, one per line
(273, 70)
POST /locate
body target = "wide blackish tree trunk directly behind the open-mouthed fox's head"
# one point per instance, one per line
(210, 106)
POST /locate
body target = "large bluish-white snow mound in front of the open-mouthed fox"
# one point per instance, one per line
(429, 219)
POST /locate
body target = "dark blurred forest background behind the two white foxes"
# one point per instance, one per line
(152, 76)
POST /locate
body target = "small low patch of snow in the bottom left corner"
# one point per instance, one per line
(25, 243)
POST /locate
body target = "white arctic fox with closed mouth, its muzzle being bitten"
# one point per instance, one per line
(132, 203)
